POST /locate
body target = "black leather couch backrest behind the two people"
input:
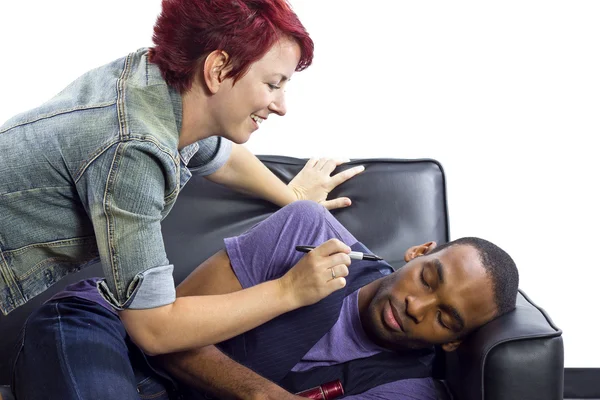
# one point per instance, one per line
(396, 204)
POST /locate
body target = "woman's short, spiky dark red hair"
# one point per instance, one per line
(186, 31)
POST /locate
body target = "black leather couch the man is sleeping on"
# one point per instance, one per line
(396, 203)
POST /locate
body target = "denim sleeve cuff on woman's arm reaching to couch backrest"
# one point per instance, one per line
(213, 152)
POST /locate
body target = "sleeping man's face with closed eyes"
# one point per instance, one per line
(433, 299)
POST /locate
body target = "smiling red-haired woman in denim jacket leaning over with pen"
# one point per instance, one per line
(92, 173)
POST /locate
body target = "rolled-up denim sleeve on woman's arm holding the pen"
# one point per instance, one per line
(125, 190)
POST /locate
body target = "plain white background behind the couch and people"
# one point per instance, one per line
(506, 95)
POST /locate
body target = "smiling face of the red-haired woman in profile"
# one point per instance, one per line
(238, 110)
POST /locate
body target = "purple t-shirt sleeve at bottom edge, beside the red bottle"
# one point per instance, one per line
(407, 389)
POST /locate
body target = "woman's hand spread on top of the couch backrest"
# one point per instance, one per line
(315, 182)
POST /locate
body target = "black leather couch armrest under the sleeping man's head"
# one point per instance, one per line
(517, 356)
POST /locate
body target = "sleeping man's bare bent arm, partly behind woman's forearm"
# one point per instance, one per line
(206, 368)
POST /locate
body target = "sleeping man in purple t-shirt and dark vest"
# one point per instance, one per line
(376, 335)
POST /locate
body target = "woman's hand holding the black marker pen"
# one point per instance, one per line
(318, 274)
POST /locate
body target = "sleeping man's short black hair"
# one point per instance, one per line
(499, 266)
